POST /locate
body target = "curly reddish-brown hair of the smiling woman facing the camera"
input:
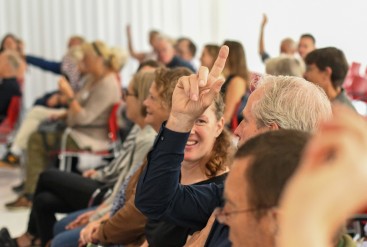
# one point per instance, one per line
(223, 149)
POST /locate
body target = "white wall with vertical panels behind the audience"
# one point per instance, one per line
(45, 26)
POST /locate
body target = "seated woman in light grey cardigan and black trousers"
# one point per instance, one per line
(53, 195)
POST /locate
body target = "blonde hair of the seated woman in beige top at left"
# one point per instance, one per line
(114, 57)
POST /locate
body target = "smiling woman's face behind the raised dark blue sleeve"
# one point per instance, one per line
(203, 135)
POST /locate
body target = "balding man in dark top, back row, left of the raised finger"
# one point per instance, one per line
(167, 55)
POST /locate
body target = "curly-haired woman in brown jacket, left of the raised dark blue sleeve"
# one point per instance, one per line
(126, 225)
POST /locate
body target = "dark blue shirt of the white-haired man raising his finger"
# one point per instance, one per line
(160, 196)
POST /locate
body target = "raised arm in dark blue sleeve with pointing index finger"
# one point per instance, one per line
(159, 194)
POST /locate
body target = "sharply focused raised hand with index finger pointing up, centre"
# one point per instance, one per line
(195, 93)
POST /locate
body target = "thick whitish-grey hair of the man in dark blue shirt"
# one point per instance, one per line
(291, 103)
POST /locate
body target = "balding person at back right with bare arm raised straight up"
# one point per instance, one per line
(287, 46)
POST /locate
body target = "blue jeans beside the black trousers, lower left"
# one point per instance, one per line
(68, 238)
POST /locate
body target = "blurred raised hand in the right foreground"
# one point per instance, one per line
(330, 184)
